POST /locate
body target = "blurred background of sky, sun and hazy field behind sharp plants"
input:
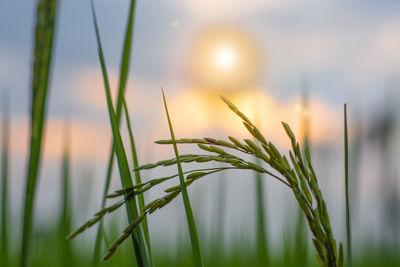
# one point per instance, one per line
(280, 60)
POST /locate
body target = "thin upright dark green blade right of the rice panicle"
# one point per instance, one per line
(346, 180)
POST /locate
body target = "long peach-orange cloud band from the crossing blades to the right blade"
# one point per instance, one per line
(198, 112)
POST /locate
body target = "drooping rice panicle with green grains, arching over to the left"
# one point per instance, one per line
(296, 173)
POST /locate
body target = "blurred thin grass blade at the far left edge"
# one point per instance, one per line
(4, 181)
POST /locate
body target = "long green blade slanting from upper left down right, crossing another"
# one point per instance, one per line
(125, 174)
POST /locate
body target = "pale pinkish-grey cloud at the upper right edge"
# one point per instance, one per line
(367, 57)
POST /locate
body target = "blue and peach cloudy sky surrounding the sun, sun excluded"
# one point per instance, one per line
(347, 51)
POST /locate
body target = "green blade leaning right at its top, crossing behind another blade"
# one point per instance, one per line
(124, 69)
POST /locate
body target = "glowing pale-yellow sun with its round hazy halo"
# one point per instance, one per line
(225, 59)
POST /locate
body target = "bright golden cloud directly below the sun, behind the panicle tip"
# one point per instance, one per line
(198, 112)
